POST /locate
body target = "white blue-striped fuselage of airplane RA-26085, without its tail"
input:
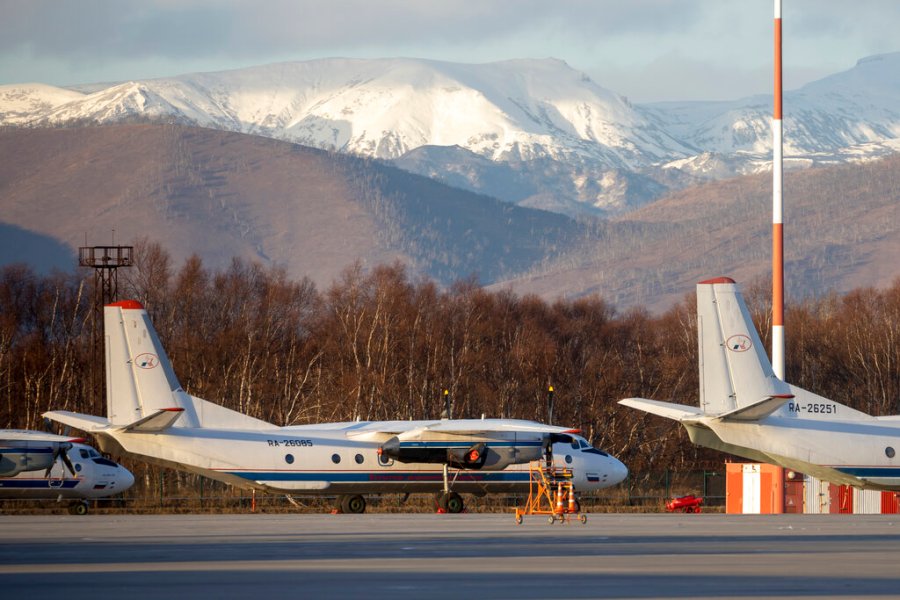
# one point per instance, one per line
(314, 460)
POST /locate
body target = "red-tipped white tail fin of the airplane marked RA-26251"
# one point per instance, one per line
(735, 372)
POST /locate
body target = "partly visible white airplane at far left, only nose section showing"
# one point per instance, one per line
(36, 465)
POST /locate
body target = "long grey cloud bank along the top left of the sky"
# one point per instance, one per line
(255, 29)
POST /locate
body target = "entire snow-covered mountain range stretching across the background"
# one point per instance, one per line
(533, 132)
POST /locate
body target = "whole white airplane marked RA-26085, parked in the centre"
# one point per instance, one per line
(151, 417)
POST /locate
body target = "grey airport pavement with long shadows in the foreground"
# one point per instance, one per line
(470, 556)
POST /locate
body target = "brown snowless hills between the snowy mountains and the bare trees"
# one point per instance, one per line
(222, 195)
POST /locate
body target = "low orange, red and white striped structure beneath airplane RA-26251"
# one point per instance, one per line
(759, 488)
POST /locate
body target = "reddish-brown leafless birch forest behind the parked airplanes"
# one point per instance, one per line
(381, 345)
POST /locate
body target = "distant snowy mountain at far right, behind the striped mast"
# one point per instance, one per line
(847, 116)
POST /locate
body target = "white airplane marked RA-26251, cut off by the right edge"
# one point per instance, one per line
(747, 411)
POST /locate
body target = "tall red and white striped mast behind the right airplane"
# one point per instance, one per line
(777, 222)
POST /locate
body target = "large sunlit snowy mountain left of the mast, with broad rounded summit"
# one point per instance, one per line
(519, 109)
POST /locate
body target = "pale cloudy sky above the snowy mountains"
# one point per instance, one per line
(646, 50)
